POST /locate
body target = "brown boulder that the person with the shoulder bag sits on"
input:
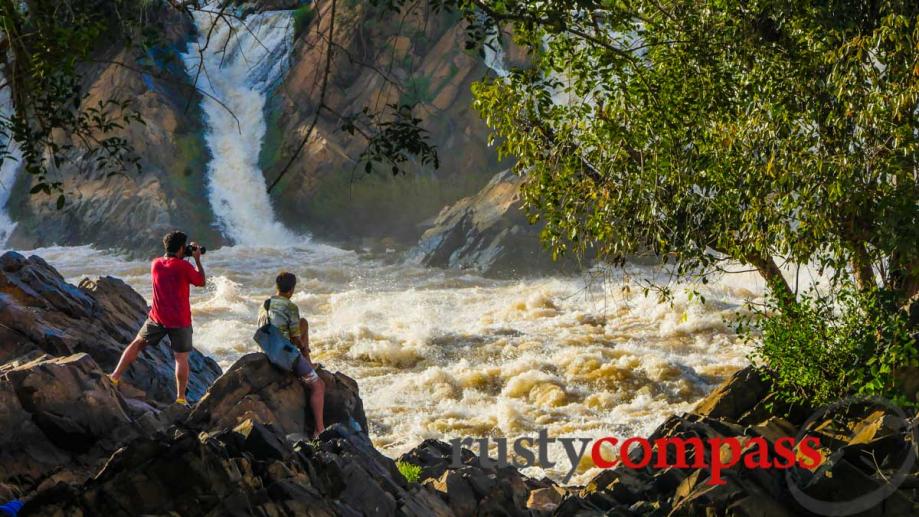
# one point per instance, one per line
(254, 389)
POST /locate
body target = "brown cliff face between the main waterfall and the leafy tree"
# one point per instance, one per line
(379, 58)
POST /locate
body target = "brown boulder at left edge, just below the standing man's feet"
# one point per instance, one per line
(59, 418)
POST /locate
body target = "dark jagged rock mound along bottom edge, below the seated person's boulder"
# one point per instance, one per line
(230, 473)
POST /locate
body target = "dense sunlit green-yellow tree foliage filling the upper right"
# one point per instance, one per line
(706, 131)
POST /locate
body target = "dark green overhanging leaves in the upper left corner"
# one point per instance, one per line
(45, 42)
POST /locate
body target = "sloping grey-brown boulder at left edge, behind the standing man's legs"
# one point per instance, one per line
(41, 313)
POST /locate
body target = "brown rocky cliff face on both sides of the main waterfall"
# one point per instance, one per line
(379, 58)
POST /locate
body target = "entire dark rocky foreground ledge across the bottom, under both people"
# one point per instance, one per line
(73, 445)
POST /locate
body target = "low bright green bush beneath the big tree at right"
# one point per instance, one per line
(820, 349)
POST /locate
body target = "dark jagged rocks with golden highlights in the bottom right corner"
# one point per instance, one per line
(862, 447)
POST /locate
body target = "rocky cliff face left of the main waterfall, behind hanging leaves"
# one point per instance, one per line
(131, 211)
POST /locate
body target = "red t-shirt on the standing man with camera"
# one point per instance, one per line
(171, 278)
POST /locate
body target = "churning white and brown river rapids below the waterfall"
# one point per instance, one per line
(446, 354)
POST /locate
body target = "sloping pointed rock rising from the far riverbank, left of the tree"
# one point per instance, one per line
(486, 232)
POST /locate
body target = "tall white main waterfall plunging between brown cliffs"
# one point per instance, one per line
(240, 63)
